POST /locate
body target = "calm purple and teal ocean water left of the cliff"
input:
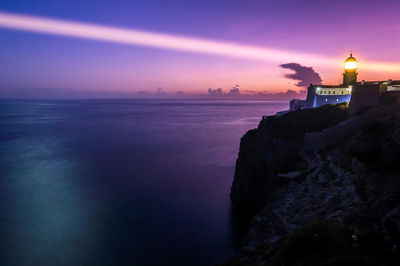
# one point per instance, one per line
(115, 182)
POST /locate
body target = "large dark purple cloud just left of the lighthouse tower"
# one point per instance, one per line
(305, 75)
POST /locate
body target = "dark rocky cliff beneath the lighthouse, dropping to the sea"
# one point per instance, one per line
(336, 205)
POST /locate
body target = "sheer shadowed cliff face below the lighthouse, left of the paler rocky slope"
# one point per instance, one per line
(274, 148)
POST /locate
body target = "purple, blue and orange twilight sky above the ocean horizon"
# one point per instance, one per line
(254, 39)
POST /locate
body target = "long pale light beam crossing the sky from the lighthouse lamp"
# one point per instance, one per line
(171, 42)
